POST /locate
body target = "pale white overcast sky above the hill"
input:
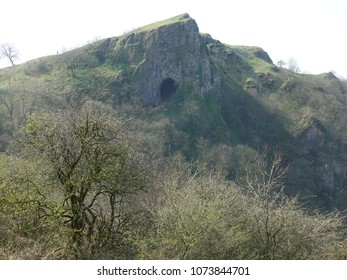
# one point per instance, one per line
(311, 31)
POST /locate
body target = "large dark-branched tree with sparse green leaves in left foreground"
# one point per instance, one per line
(91, 168)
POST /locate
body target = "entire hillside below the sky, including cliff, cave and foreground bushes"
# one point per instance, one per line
(164, 143)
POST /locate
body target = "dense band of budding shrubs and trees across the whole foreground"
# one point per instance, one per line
(86, 184)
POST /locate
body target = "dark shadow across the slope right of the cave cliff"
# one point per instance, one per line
(318, 177)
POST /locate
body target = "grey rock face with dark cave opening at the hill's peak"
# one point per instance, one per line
(169, 55)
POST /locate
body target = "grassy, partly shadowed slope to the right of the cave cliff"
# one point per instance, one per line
(266, 105)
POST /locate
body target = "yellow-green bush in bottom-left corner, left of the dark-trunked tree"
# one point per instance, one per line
(29, 227)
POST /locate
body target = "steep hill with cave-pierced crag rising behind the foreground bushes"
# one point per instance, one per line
(207, 100)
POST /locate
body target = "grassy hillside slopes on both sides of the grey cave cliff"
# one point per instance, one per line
(260, 105)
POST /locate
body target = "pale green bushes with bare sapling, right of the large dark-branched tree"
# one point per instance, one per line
(196, 214)
